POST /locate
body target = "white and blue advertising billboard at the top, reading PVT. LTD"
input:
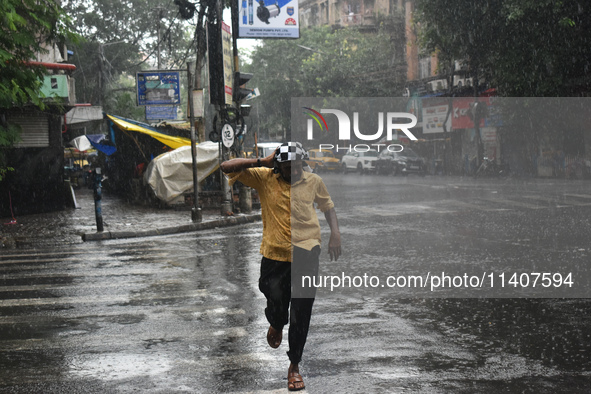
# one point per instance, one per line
(268, 19)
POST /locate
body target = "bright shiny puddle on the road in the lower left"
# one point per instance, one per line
(110, 367)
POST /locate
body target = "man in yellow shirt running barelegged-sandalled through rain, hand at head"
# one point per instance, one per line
(291, 241)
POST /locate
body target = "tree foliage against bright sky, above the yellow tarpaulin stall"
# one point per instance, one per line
(121, 37)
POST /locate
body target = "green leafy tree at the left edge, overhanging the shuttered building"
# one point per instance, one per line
(26, 27)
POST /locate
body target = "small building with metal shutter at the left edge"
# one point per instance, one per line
(37, 182)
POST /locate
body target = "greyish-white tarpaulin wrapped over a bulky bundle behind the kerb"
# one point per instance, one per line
(171, 174)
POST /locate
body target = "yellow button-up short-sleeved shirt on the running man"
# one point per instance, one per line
(289, 219)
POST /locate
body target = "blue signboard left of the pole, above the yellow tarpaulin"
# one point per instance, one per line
(155, 88)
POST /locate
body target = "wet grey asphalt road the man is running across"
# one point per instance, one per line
(183, 313)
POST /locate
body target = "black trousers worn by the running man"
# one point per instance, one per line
(276, 284)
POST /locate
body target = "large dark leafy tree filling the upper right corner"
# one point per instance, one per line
(523, 48)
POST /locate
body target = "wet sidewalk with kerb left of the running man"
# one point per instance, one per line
(120, 220)
